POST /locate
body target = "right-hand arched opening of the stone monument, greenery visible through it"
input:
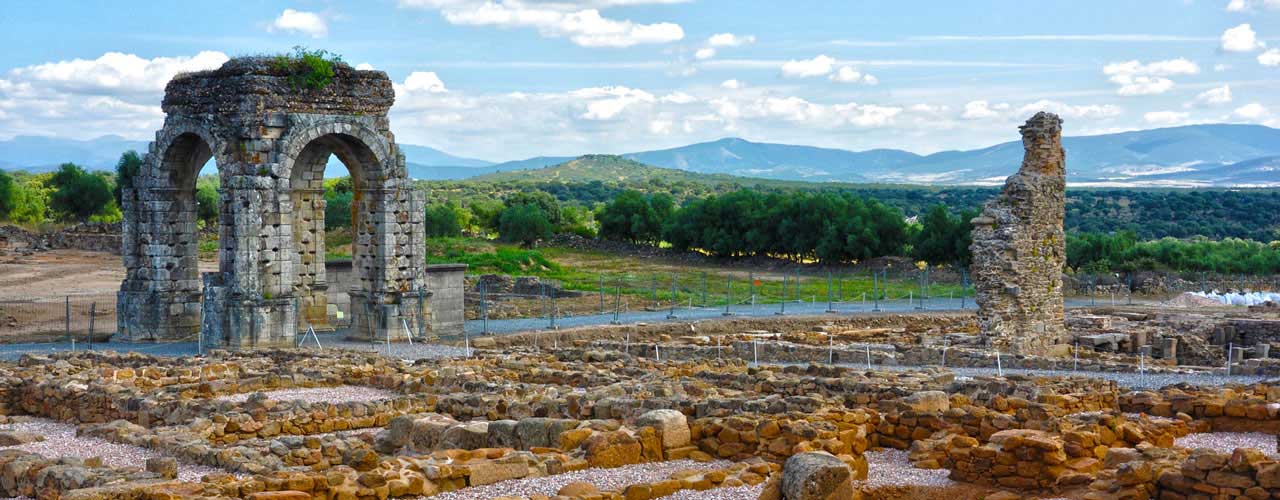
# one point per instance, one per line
(327, 276)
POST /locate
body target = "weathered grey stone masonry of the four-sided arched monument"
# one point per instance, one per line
(271, 141)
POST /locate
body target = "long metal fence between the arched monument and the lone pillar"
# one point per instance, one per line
(644, 297)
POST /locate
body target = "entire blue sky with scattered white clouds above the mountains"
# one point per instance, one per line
(504, 80)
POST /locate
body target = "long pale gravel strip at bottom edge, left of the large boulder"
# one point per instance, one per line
(615, 479)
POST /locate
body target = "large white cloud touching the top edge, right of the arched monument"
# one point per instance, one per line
(575, 20)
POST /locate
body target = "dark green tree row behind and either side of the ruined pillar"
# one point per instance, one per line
(843, 228)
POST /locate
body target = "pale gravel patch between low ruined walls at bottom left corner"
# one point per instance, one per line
(61, 442)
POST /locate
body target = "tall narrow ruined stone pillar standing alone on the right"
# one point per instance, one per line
(1020, 247)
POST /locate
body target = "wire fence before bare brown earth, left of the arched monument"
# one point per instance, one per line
(58, 318)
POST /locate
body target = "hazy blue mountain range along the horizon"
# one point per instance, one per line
(1208, 155)
